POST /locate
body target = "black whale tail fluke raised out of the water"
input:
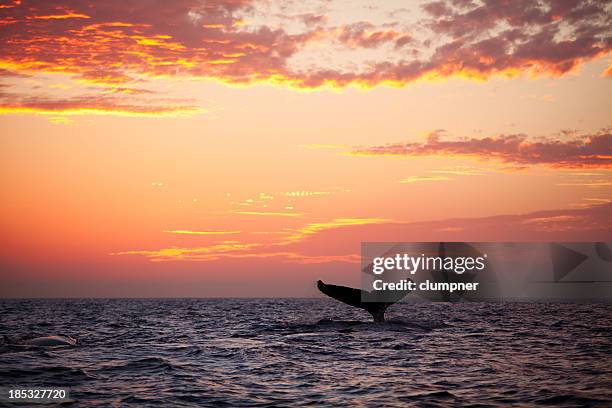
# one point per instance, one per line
(360, 298)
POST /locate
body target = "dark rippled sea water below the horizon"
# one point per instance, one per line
(270, 352)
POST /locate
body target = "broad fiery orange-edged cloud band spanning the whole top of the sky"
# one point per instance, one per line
(113, 42)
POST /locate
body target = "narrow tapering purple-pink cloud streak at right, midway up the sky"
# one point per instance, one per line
(586, 151)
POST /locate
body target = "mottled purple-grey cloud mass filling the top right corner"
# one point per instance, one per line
(547, 36)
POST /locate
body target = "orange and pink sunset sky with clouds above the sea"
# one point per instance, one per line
(247, 147)
